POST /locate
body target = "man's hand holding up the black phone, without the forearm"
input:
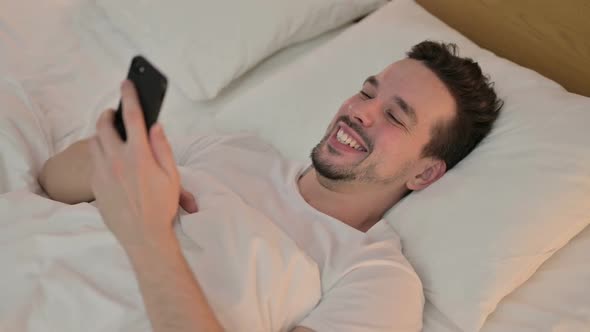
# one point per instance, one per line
(135, 183)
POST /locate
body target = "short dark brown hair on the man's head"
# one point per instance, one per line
(477, 106)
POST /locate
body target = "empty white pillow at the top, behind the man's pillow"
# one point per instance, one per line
(203, 45)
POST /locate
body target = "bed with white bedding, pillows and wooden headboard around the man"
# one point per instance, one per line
(503, 245)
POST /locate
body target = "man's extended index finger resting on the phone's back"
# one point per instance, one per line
(133, 115)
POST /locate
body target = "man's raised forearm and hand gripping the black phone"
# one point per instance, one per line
(136, 185)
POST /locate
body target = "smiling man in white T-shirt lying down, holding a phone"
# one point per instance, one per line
(401, 132)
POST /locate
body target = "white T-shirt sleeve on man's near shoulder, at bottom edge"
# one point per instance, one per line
(371, 298)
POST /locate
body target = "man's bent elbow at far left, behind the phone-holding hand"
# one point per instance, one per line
(65, 177)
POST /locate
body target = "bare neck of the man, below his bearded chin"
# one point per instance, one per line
(355, 204)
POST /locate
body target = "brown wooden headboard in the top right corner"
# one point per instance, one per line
(549, 36)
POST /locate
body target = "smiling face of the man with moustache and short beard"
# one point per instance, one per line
(378, 134)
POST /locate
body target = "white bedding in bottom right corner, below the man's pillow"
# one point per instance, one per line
(556, 298)
